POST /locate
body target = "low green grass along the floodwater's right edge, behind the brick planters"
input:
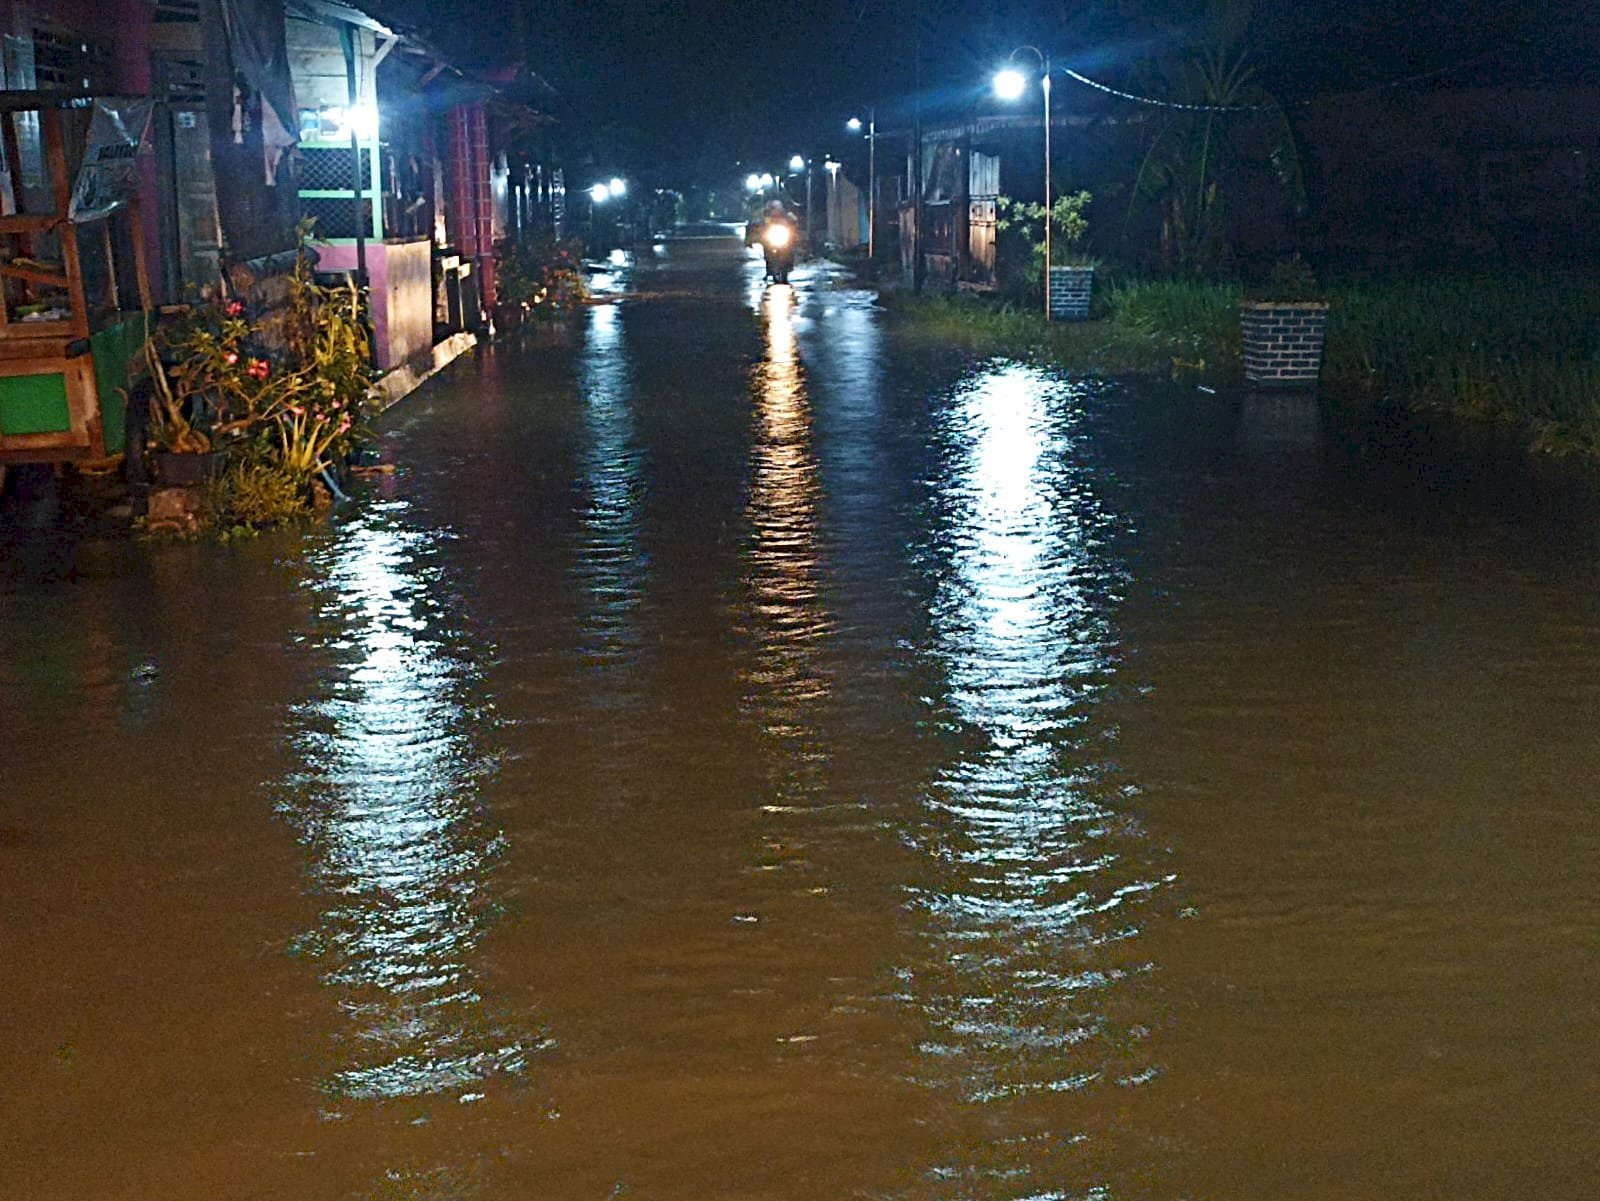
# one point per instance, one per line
(1519, 348)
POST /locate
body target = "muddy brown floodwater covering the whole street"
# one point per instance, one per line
(746, 752)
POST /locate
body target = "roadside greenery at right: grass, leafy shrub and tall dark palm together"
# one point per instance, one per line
(1486, 340)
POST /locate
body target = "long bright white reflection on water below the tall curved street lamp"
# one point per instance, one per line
(1033, 879)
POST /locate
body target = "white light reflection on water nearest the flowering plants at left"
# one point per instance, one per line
(390, 807)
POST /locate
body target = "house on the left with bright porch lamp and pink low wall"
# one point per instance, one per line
(273, 111)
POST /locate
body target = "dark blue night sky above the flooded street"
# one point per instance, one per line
(684, 86)
